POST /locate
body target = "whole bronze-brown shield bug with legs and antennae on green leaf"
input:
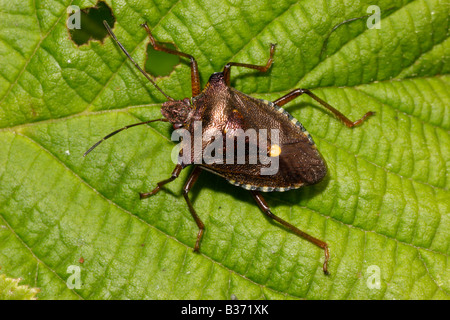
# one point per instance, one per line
(223, 109)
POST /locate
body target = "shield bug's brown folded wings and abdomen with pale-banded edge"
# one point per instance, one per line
(298, 162)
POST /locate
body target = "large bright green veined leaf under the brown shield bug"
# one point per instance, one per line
(383, 208)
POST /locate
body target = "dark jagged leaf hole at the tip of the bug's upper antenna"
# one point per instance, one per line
(90, 23)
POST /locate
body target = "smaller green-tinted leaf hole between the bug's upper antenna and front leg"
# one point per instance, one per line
(158, 63)
